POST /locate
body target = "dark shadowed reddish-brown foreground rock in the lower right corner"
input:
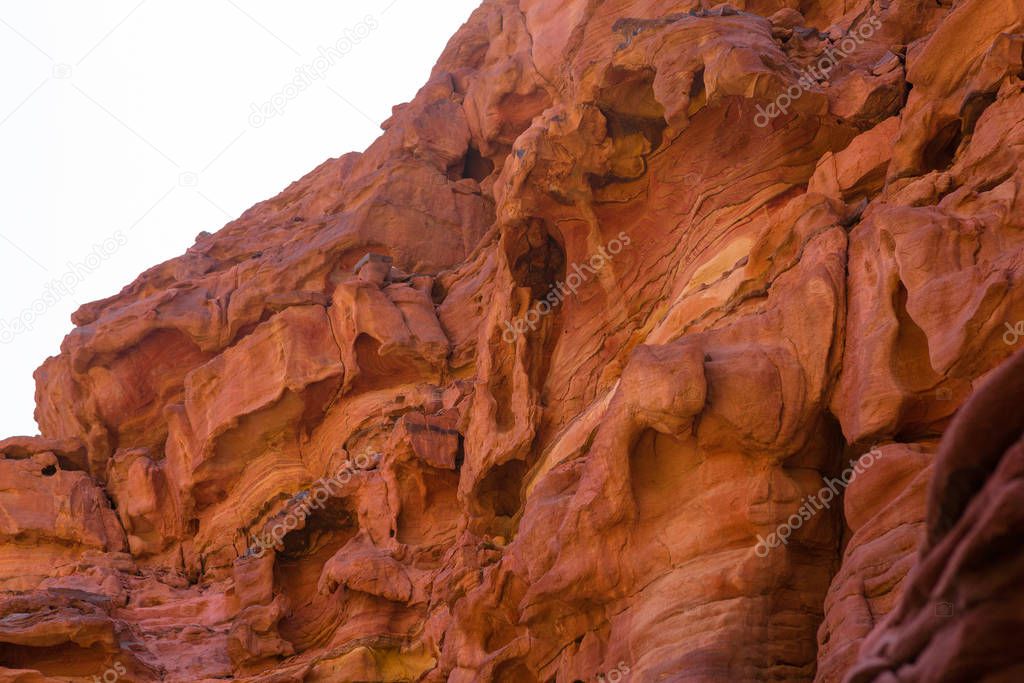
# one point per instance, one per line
(963, 607)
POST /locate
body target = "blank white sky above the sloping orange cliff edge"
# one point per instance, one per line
(120, 115)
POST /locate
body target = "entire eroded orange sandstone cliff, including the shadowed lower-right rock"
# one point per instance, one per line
(631, 351)
